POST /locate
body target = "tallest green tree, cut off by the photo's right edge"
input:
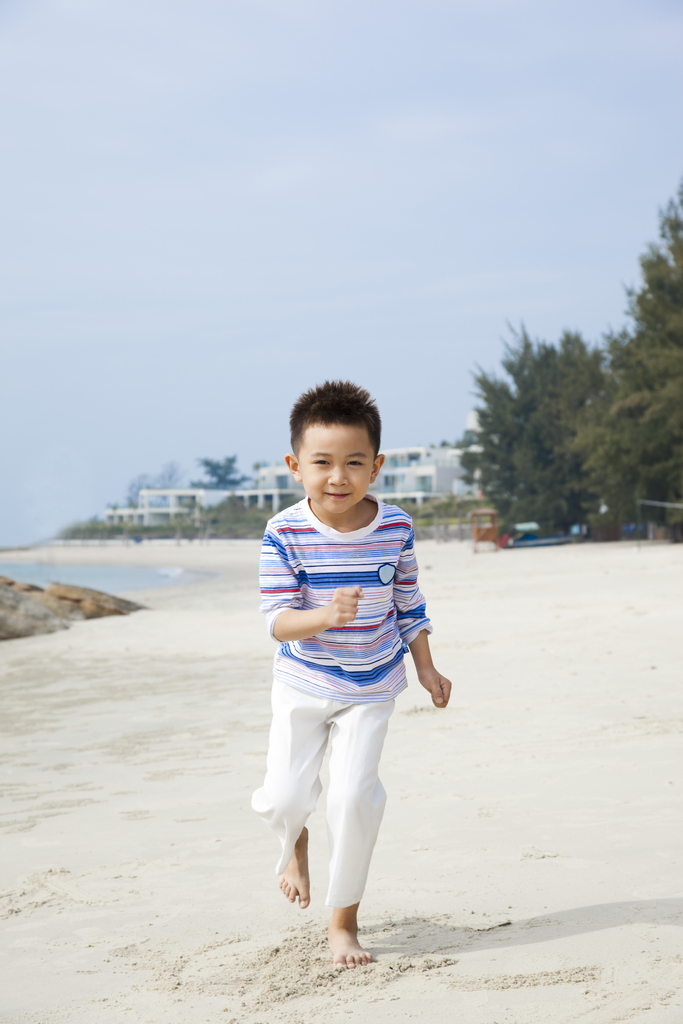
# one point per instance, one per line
(634, 443)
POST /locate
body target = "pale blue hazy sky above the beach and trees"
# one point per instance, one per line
(208, 207)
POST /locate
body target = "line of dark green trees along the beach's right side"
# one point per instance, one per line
(576, 434)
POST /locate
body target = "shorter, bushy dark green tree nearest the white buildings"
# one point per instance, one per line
(526, 448)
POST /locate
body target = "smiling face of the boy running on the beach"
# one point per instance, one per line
(336, 465)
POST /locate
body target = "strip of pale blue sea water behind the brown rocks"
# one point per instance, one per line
(111, 579)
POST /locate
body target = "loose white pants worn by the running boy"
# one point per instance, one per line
(302, 727)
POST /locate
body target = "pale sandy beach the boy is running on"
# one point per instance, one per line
(529, 868)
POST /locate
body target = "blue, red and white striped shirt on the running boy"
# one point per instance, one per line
(303, 564)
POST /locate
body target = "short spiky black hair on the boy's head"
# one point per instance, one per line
(336, 402)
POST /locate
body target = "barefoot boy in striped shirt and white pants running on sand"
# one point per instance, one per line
(339, 589)
